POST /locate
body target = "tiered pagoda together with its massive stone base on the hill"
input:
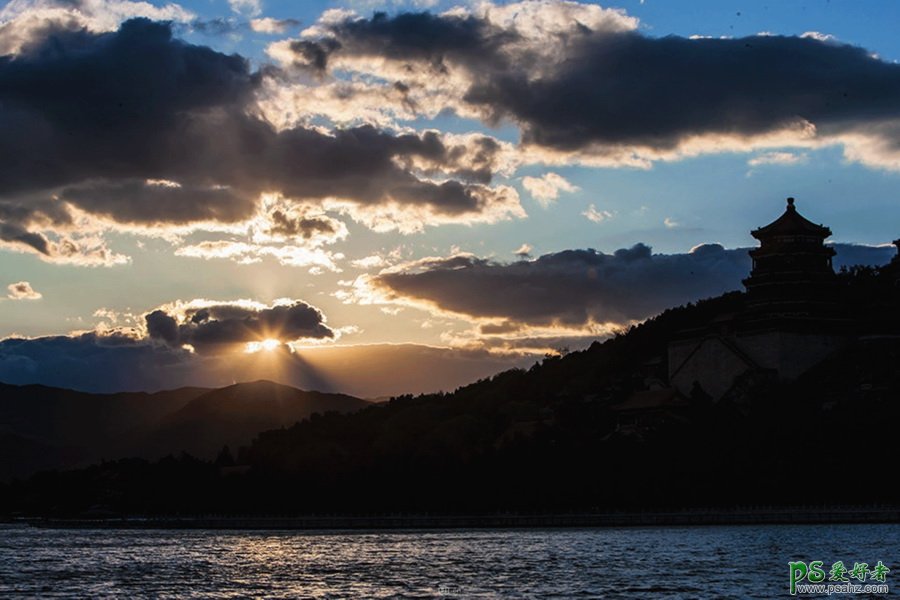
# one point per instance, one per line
(792, 318)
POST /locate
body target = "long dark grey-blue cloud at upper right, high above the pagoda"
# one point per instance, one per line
(627, 88)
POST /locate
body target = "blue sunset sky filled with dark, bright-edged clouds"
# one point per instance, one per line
(379, 197)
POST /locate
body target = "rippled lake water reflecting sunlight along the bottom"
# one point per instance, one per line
(667, 562)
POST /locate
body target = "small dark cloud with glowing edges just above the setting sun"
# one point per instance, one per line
(221, 326)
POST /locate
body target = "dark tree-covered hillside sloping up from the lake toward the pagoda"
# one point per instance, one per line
(554, 437)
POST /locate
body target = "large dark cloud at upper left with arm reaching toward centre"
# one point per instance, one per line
(101, 120)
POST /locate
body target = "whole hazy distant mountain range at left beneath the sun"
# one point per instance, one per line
(43, 427)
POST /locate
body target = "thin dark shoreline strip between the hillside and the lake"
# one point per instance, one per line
(804, 516)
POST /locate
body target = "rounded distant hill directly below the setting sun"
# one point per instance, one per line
(233, 415)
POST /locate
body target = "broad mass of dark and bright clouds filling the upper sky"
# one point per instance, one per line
(124, 127)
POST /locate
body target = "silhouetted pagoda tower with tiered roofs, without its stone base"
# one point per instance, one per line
(792, 276)
